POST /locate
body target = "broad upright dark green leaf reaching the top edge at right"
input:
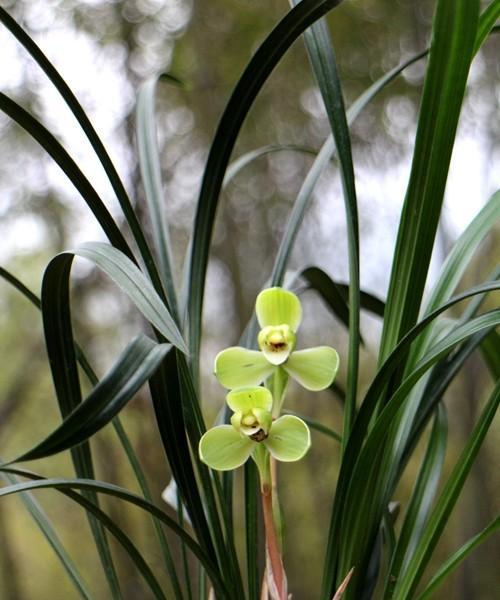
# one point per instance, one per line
(454, 32)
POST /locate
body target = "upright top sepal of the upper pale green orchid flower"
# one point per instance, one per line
(276, 306)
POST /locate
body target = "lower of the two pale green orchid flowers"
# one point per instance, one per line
(227, 447)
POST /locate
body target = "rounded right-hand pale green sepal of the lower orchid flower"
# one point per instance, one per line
(289, 439)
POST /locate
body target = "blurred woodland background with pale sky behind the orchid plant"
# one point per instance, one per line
(105, 50)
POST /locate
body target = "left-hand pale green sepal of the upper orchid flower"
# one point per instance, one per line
(239, 367)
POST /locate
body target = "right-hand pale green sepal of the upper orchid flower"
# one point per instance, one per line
(314, 368)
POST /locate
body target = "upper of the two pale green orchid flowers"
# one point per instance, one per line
(279, 313)
